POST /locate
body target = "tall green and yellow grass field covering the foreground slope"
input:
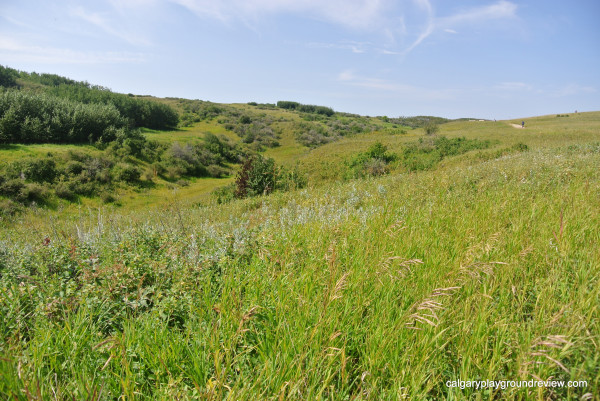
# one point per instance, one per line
(484, 268)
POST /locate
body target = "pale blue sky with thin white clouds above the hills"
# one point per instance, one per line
(463, 58)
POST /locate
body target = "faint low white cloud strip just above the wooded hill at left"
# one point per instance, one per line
(12, 50)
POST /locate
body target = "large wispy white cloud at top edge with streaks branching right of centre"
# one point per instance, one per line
(387, 17)
